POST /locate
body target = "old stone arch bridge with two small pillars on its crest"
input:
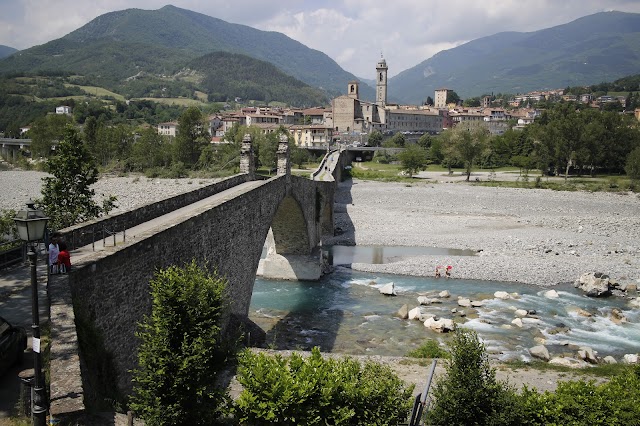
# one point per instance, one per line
(223, 226)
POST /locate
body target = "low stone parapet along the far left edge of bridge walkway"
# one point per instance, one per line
(90, 231)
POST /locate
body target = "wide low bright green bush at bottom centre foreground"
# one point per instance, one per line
(318, 391)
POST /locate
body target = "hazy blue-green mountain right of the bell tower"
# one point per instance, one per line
(600, 47)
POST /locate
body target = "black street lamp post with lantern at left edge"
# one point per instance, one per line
(31, 224)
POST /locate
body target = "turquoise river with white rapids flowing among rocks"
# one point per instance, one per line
(345, 313)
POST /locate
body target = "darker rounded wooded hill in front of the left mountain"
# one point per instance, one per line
(227, 75)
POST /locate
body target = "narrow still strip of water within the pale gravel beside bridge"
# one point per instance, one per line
(346, 255)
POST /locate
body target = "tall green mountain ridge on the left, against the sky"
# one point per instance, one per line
(121, 44)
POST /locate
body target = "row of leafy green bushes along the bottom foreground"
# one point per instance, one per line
(180, 371)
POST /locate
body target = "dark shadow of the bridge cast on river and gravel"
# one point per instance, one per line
(312, 320)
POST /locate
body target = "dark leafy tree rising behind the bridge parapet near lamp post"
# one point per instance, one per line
(67, 197)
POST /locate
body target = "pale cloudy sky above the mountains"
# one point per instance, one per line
(354, 33)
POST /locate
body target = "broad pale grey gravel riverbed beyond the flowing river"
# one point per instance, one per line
(533, 236)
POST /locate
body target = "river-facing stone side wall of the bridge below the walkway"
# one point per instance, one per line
(111, 289)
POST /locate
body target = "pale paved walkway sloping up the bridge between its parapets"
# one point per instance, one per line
(130, 234)
